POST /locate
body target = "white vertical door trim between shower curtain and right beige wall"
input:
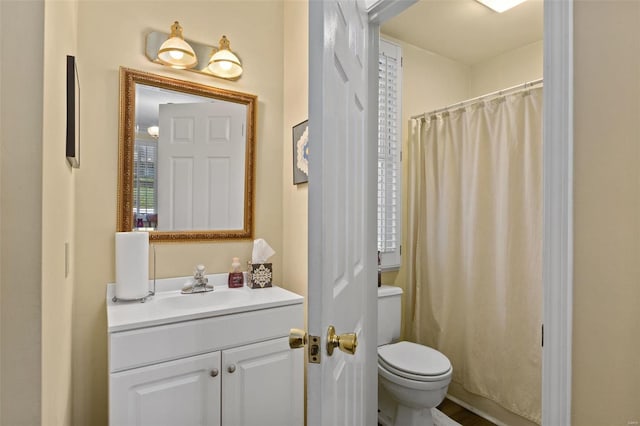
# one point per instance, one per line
(557, 212)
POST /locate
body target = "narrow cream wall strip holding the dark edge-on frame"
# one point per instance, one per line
(57, 216)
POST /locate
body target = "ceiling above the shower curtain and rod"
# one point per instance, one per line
(465, 30)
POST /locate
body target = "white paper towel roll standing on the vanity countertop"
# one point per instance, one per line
(132, 265)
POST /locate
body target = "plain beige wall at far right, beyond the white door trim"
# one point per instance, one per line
(606, 333)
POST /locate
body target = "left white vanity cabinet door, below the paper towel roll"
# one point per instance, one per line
(184, 392)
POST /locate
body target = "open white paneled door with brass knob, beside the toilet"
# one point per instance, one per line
(342, 389)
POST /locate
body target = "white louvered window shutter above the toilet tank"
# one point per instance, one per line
(389, 157)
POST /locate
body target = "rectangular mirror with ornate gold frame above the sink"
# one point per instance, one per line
(186, 159)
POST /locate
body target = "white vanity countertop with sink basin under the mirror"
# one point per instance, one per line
(168, 305)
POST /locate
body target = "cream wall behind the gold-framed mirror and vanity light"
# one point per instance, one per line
(111, 34)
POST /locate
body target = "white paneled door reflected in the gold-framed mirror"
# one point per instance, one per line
(201, 156)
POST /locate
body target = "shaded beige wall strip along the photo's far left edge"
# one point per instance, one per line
(21, 148)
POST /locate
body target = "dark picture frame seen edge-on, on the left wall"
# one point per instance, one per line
(73, 114)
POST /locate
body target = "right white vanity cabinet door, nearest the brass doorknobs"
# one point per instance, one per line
(263, 385)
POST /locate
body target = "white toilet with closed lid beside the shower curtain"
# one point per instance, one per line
(412, 378)
